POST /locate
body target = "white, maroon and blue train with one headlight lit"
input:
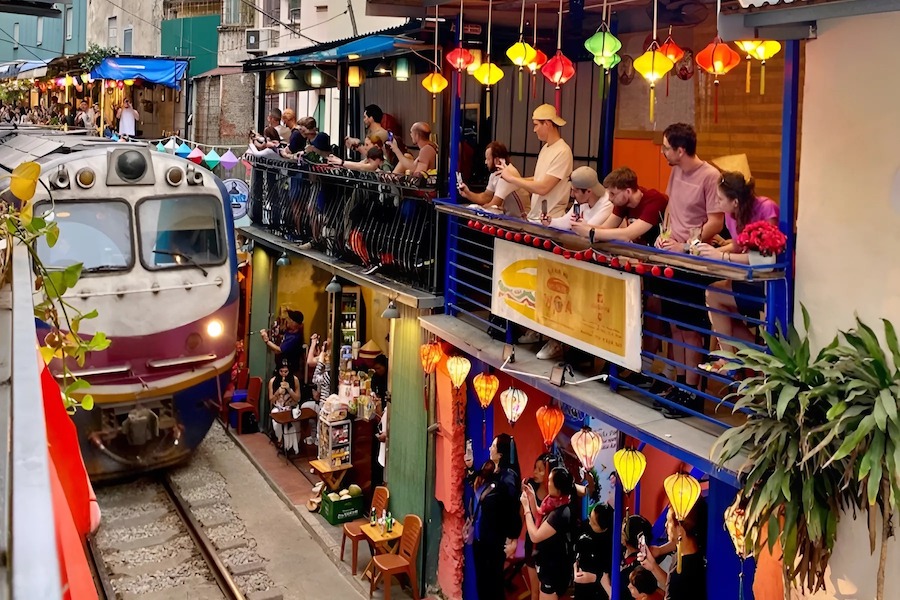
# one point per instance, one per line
(154, 233)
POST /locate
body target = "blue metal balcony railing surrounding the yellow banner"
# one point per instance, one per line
(679, 310)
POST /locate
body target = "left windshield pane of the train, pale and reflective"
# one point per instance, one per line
(96, 234)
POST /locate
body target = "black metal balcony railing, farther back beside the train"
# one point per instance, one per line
(379, 225)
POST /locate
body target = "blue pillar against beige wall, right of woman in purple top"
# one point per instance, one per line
(780, 296)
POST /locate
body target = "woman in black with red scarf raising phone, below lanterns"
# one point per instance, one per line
(549, 527)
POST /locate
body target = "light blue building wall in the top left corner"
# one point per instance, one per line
(53, 43)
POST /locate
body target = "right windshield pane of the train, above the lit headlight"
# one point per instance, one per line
(178, 232)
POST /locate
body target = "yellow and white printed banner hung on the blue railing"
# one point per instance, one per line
(584, 305)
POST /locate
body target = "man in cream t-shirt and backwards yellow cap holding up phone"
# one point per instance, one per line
(550, 184)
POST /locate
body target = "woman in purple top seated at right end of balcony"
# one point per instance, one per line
(738, 200)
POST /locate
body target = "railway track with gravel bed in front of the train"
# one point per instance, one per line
(152, 545)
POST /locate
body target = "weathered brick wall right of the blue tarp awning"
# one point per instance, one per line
(225, 109)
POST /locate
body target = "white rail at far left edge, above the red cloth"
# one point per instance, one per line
(30, 534)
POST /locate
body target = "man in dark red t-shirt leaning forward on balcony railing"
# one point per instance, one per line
(640, 208)
